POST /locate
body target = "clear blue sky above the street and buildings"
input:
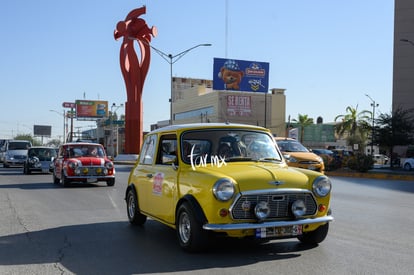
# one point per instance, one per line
(328, 55)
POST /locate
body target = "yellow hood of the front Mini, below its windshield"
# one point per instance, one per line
(261, 175)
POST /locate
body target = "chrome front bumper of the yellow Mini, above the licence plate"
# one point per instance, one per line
(243, 226)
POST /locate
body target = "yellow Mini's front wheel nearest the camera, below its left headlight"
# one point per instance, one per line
(191, 235)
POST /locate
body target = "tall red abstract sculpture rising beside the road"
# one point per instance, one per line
(134, 72)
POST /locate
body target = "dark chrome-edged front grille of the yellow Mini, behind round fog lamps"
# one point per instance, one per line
(279, 204)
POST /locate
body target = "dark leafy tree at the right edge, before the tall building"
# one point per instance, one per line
(394, 129)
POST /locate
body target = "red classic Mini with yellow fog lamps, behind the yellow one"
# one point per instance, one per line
(83, 163)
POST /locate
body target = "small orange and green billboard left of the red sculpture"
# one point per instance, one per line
(91, 109)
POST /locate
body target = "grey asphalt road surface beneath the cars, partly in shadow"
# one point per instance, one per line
(48, 229)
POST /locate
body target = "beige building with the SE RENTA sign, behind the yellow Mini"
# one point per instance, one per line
(194, 100)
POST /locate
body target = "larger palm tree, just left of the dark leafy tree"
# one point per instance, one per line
(355, 125)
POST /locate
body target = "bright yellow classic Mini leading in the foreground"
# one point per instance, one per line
(210, 180)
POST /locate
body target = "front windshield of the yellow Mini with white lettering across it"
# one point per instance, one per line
(229, 145)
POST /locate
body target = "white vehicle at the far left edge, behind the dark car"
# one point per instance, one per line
(16, 152)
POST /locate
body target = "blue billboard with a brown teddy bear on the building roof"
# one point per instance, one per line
(240, 75)
